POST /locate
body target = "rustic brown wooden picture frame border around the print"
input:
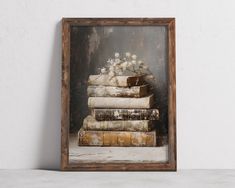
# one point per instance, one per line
(66, 24)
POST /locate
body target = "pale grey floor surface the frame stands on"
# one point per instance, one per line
(180, 179)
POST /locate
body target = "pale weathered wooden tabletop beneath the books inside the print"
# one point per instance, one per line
(115, 154)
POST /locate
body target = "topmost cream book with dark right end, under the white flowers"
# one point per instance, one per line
(119, 81)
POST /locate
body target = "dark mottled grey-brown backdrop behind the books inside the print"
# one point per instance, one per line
(92, 46)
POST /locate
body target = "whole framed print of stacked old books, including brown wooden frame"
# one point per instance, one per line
(118, 94)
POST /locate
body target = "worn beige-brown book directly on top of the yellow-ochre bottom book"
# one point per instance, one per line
(89, 123)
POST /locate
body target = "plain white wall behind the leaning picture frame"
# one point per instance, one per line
(30, 59)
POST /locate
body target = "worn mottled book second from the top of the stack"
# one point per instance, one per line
(112, 91)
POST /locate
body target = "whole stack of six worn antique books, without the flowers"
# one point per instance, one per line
(122, 113)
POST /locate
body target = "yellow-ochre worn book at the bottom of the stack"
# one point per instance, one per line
(116, 138)
